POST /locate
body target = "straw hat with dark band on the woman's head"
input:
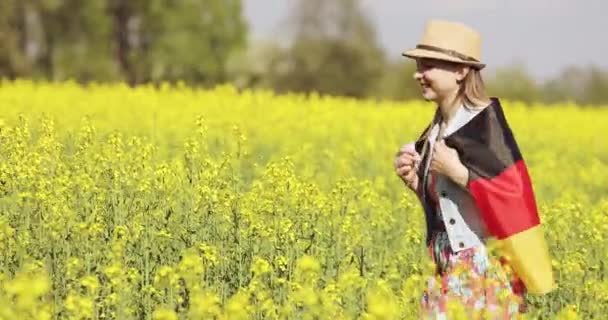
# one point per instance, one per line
(450, 41)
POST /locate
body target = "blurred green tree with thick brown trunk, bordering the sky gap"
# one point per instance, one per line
(189, 40)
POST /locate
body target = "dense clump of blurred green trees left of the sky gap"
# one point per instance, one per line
(135, 40)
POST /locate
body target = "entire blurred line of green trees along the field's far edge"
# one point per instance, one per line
(333, 49)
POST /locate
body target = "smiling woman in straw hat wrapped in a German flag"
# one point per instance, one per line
(471, 179)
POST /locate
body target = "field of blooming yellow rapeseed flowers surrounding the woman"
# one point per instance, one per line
(179, 203)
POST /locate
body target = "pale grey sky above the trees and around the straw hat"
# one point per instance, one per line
(545, 36)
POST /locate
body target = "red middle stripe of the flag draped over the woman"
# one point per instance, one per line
(506, 202)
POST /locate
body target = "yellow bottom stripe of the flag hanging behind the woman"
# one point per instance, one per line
(528, 256)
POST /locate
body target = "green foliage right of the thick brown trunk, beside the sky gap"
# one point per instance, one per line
(189, 40)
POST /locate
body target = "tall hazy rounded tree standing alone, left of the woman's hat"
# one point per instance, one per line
(335, 51)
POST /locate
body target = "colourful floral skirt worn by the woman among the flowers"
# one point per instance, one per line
(470, 284)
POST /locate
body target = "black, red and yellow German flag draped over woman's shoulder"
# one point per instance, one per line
(501, 186)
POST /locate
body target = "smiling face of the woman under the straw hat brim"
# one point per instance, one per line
(438, 79)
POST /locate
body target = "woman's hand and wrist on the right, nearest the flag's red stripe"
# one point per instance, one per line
(446, 162)
